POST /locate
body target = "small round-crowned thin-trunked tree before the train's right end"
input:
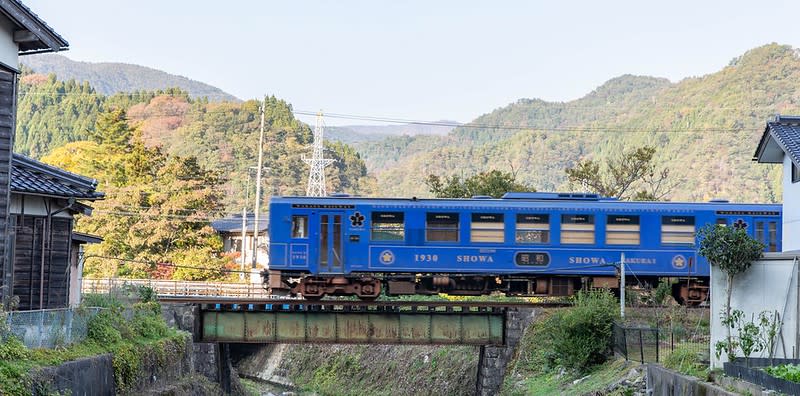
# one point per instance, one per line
(733, 251)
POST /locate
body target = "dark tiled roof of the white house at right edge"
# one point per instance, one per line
(782, 134)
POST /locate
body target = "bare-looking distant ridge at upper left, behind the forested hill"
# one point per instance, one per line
(109, 78)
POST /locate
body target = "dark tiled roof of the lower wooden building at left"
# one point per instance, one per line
(29, 176)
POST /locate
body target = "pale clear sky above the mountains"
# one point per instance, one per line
(420, 60)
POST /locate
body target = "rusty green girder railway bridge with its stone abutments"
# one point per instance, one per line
(496, 327)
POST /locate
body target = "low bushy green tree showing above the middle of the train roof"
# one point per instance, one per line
(494, 183)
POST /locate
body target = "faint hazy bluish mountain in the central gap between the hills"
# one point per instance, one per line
(363, 133)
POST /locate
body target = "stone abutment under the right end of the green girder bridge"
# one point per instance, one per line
(494, 359)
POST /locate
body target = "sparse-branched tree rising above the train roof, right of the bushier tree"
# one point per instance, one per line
(631, 176)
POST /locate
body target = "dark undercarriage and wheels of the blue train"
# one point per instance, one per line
(687, 291)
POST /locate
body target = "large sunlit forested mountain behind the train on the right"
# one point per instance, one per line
(704, 128)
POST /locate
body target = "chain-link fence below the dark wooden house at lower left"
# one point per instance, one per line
(50, 328)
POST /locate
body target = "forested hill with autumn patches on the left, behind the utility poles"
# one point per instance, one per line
(222, 136)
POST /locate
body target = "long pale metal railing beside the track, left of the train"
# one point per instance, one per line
(179, 288)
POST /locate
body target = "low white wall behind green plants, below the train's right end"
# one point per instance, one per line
(768, 285)
